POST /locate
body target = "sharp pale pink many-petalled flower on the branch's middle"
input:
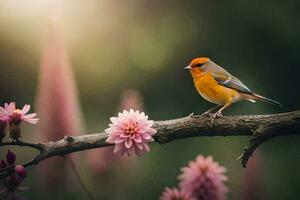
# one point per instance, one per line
(130, 132)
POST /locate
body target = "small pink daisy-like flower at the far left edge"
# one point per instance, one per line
(13, 115)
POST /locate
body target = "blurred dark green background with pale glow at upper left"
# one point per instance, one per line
(144, 45)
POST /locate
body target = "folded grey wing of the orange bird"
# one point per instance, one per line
(231, 82)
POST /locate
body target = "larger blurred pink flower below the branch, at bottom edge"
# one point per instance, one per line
(204, 179)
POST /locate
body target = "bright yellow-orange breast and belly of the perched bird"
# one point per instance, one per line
(210, 90)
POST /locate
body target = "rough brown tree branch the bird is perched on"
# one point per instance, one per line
(260, 127)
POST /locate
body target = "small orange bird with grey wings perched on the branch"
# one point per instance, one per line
(218, 86)
